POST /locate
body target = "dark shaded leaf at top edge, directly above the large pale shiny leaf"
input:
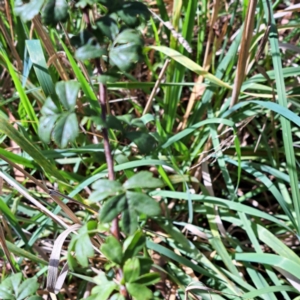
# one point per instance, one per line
(133, 13)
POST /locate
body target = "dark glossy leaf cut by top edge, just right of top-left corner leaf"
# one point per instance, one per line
(55, 11)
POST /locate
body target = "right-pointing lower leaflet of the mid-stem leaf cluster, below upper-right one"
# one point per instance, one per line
(143, 203)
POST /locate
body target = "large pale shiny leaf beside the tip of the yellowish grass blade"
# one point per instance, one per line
(127, 50)
